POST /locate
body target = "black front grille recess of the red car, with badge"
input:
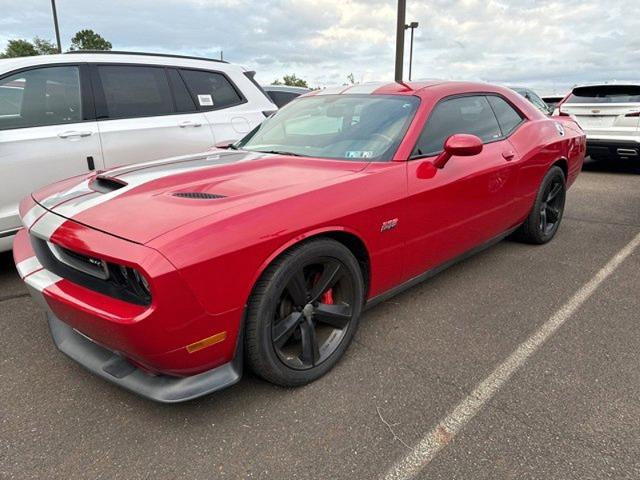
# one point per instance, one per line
(89, 272)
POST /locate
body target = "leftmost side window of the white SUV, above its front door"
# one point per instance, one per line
(42, 96)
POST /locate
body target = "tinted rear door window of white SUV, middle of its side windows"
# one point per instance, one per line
(135, 91)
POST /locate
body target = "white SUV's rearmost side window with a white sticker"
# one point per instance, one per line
(210, 89)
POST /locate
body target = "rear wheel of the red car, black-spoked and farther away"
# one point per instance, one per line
(544, 220)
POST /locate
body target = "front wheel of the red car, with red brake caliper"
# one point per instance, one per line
(303, 313)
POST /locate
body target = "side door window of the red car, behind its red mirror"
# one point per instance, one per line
(471, 115)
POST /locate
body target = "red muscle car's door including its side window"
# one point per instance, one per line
(466, 203)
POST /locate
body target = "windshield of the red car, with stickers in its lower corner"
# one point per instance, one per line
(345, 127)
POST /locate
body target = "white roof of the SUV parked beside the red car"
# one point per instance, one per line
(118, 57)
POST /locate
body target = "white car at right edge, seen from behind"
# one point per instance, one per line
(610, 116)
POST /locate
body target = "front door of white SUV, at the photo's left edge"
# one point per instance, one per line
(47, 133)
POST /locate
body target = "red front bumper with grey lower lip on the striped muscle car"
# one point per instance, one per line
(144, 349)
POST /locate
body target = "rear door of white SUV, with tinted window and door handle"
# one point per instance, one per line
(144, 113)
